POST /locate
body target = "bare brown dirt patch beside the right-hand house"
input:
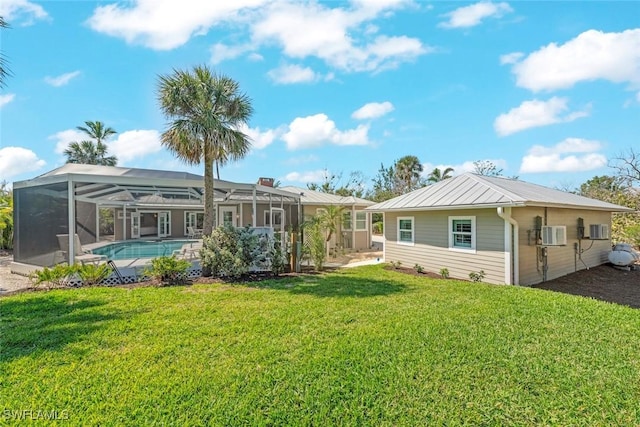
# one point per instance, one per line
(604, 283)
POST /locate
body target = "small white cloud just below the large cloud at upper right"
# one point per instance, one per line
(536, 113)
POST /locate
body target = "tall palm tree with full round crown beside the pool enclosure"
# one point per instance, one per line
(206, 110)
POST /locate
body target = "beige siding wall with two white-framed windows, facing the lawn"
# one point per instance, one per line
(431, 244)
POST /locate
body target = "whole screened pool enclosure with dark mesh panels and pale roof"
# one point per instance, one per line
(104, 204)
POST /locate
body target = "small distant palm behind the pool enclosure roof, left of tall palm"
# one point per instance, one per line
(93, 151)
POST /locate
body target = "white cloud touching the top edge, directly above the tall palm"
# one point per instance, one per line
(165, 24)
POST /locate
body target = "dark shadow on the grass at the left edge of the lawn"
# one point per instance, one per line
(47, 323)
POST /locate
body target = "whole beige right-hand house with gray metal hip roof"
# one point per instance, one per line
(514, 231)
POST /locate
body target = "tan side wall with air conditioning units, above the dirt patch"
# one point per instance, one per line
(561, 260)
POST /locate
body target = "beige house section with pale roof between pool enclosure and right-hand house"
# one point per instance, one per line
(354, 232)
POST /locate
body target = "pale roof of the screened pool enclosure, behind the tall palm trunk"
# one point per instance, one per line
(112, 186)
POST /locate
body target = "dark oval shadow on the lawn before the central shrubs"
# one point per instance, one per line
(333, 285)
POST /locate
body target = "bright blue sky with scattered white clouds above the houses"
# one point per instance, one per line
(548, 91)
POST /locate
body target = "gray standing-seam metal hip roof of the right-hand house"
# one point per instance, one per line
(477, 191)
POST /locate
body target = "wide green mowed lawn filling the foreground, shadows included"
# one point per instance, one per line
(362, 346)
